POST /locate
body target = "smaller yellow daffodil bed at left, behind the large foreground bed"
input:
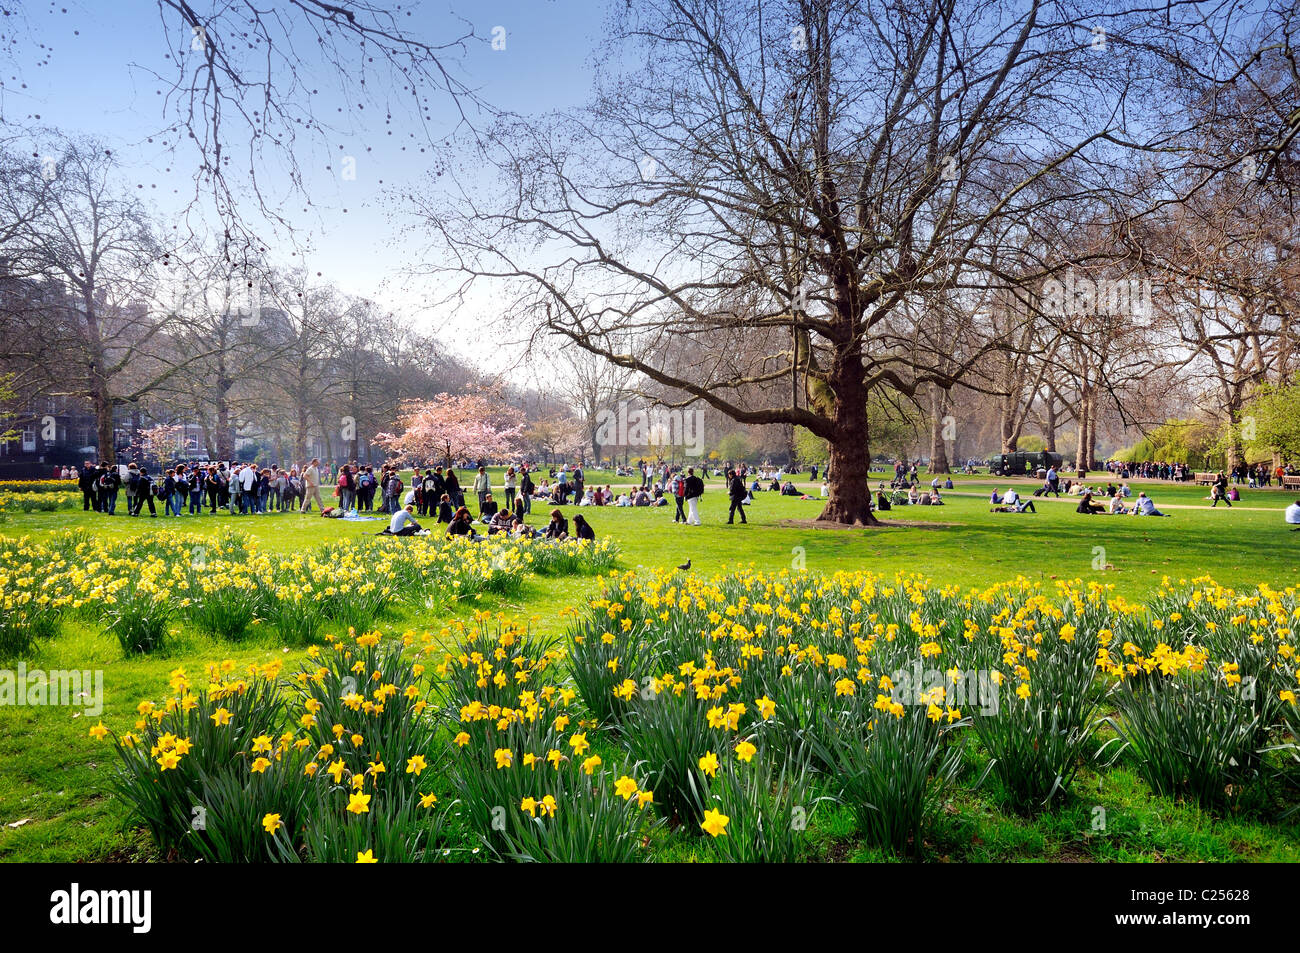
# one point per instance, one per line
(226, 586)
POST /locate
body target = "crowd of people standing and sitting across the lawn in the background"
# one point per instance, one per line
(436, 493)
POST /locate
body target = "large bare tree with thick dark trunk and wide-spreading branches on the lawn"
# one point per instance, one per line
(816, 172)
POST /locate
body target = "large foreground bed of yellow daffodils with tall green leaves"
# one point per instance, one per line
(718, 717)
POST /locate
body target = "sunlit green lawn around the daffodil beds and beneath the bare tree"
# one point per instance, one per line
(54, 779)
